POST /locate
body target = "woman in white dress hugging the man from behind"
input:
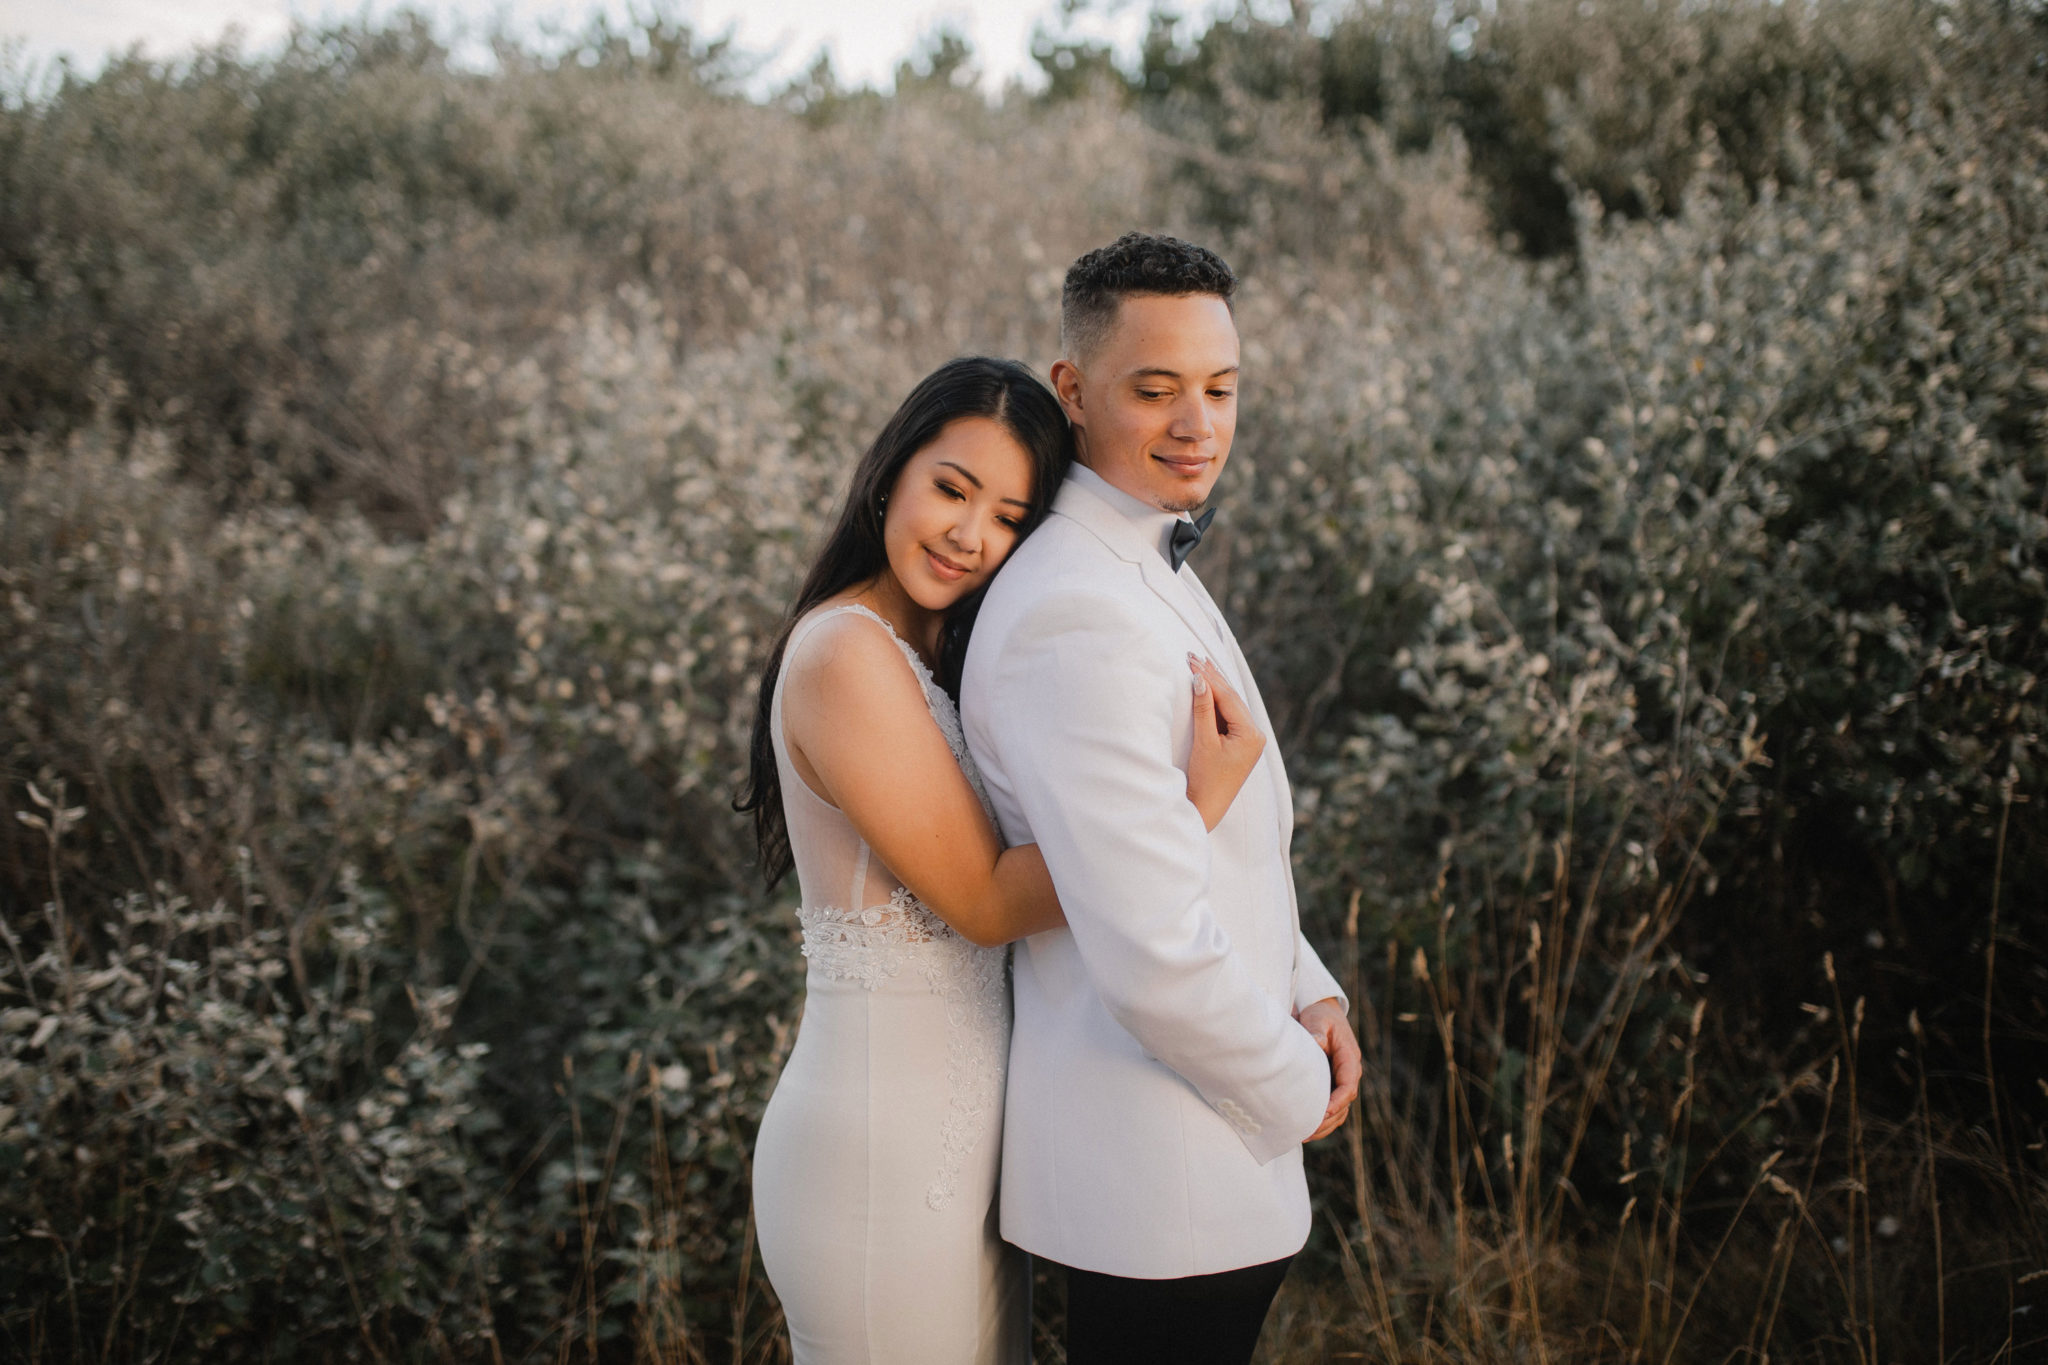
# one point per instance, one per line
(878, 1157)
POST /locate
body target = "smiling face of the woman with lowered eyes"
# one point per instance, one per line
(955, 511)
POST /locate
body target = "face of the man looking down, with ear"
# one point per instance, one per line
(1154, 404)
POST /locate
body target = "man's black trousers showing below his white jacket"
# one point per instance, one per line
(1197, 1321)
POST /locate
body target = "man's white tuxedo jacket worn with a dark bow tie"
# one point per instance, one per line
(1160, 1088)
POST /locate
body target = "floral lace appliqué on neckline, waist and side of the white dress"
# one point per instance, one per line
(876, 944)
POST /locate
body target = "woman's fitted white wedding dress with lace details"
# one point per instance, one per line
(878, 1157)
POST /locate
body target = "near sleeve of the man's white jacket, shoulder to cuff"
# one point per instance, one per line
(1093, 773)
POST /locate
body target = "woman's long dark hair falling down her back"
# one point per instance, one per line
(855, 554)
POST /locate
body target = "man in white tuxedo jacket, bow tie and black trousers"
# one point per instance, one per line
(1179, 1043)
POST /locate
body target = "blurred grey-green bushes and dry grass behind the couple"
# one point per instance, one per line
(1637, 521)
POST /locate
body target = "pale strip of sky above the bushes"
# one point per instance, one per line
(865, 38)
